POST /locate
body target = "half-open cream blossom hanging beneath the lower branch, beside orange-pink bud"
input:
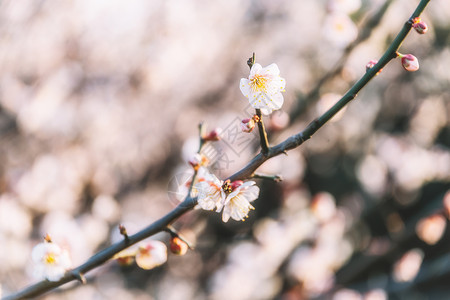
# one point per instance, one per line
(151, 254)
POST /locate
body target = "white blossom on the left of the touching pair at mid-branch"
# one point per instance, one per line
(210, 193)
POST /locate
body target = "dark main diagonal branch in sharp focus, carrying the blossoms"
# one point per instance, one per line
(247, 172)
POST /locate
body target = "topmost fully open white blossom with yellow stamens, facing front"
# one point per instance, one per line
(263, 88)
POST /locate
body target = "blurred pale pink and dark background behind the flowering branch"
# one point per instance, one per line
(99, 107)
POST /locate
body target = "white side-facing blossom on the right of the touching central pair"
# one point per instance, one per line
(237, 203)
